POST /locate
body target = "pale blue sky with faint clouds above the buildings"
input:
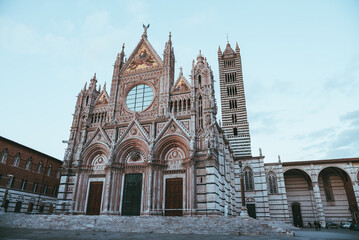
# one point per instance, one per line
(300, 63)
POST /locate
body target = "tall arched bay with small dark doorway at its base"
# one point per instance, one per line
(300, 197)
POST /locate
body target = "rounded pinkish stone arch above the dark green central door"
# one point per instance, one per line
(130, 145)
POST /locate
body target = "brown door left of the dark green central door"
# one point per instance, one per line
(94, 198)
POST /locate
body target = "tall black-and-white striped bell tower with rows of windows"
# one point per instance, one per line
(234, 112)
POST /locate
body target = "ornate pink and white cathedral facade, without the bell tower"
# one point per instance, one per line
(151, 145)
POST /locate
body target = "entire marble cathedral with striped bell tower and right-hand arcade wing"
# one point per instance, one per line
(152, 146)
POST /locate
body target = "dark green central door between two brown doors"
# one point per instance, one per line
(131, 205)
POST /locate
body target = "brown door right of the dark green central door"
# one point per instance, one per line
(174, 197)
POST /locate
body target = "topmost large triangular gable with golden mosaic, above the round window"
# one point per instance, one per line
(143, 57)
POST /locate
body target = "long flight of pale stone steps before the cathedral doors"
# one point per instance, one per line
(218, 225)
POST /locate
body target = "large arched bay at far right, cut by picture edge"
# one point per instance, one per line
(338, 198)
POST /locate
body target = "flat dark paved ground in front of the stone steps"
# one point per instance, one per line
(40, 234)
